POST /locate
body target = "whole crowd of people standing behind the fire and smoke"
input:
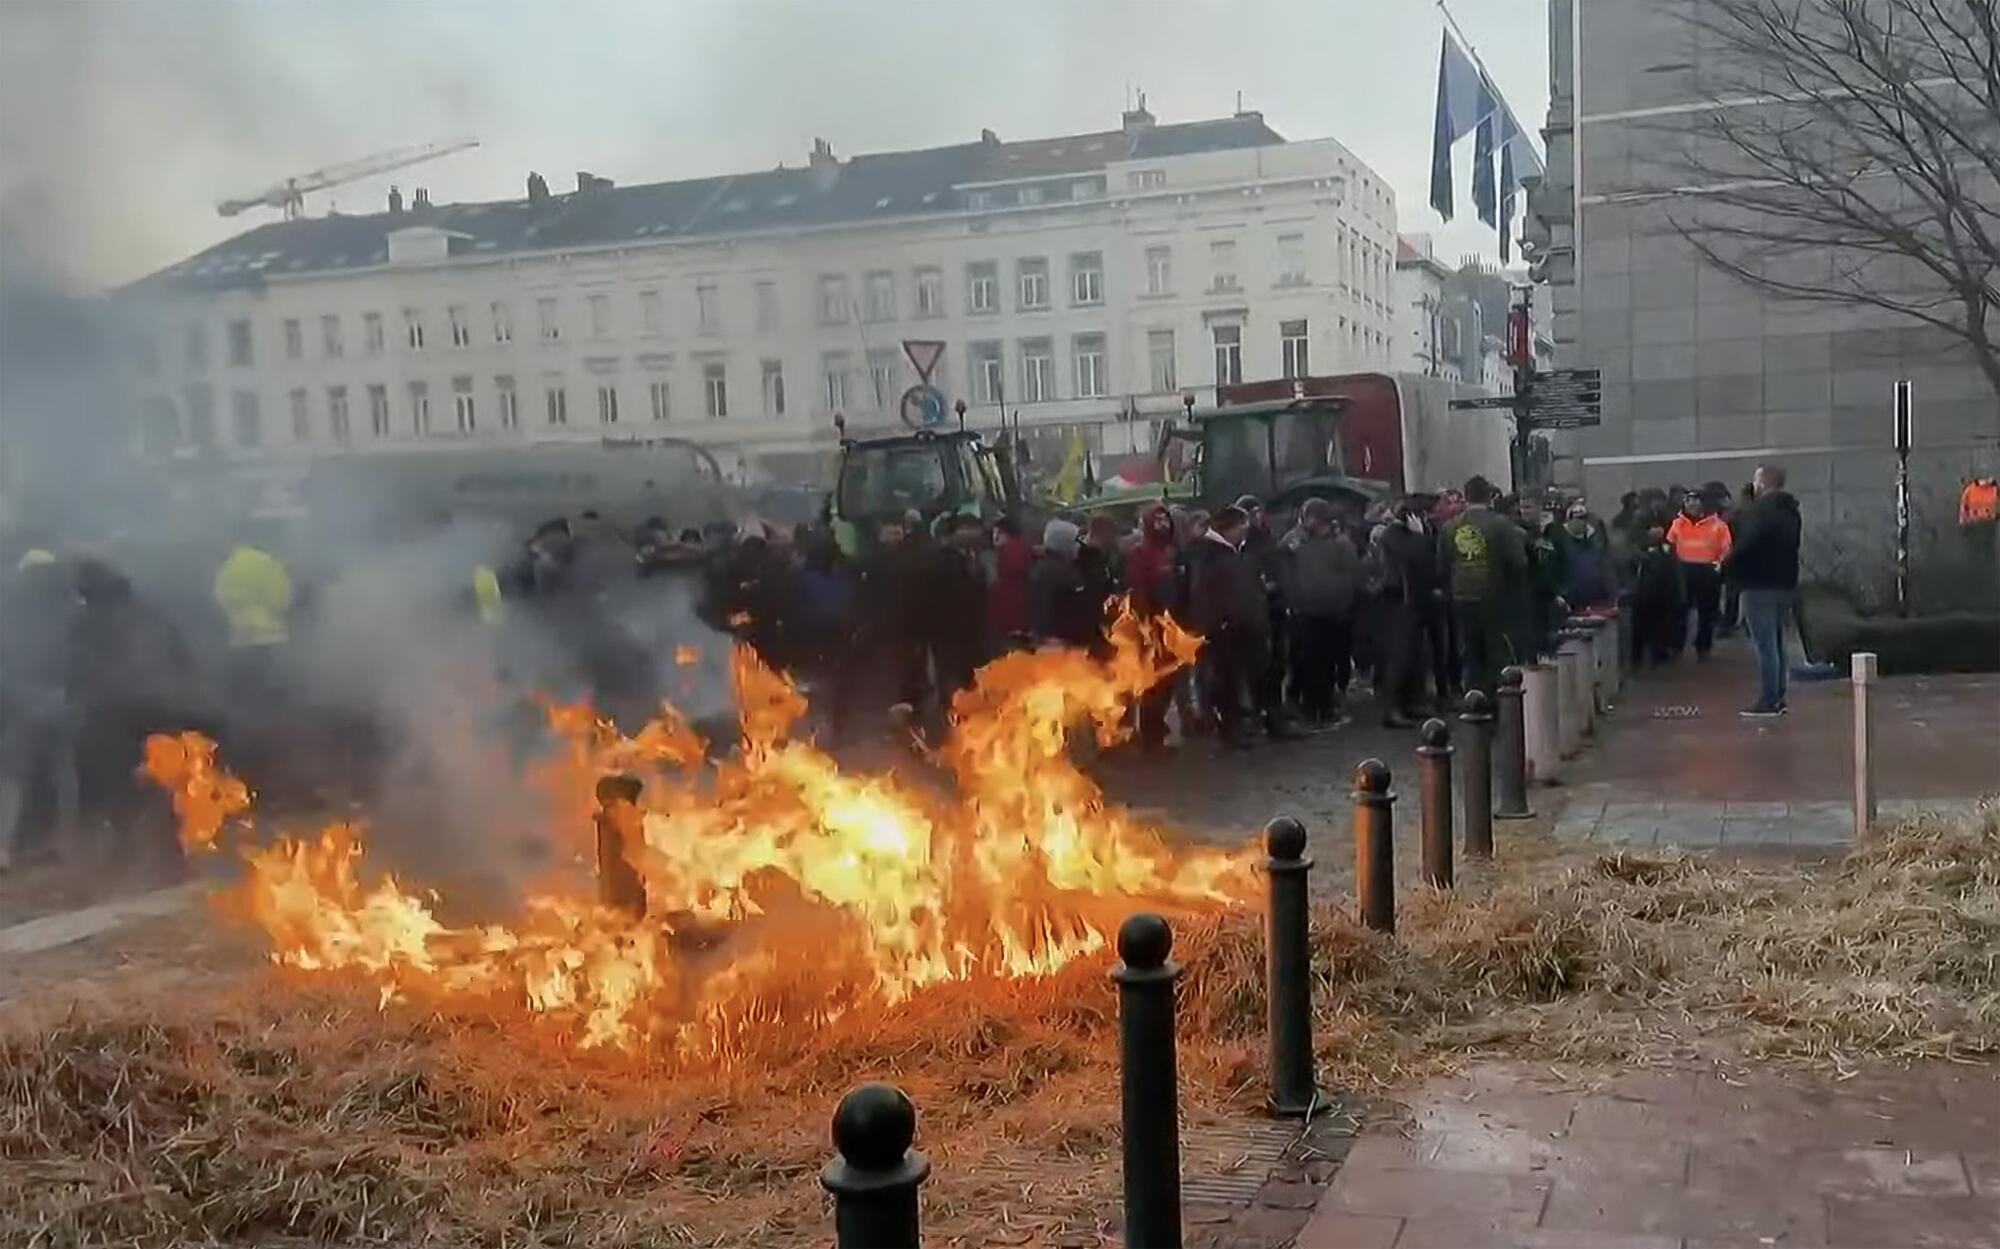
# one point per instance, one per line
(1417, 599)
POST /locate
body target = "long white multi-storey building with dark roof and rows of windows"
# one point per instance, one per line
(1079, 281)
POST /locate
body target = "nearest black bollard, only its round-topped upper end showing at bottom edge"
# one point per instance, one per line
(877, 1174)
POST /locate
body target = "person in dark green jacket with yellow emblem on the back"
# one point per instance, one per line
(1487, 555)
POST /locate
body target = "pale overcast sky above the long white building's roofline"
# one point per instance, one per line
(125, 121)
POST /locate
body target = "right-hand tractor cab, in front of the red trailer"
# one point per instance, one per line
(1283, 451)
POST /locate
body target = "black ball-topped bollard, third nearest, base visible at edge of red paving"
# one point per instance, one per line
(1289, 972)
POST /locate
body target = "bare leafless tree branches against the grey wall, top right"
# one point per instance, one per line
(1855, 157)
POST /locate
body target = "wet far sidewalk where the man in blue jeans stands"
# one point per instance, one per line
(1681, 768)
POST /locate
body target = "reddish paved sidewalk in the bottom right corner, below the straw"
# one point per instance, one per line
(1513, 1158)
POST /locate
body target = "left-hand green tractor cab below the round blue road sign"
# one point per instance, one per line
(931, 473)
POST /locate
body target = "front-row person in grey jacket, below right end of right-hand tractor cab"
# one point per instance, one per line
(1321, 579)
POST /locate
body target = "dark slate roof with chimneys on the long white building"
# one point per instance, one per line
(823, 193)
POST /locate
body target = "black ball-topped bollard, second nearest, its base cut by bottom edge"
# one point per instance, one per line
(1149, 1084)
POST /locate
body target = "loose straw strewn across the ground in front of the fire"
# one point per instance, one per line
(305, 1116)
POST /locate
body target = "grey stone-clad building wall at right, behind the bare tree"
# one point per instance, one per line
(1707, 375)
